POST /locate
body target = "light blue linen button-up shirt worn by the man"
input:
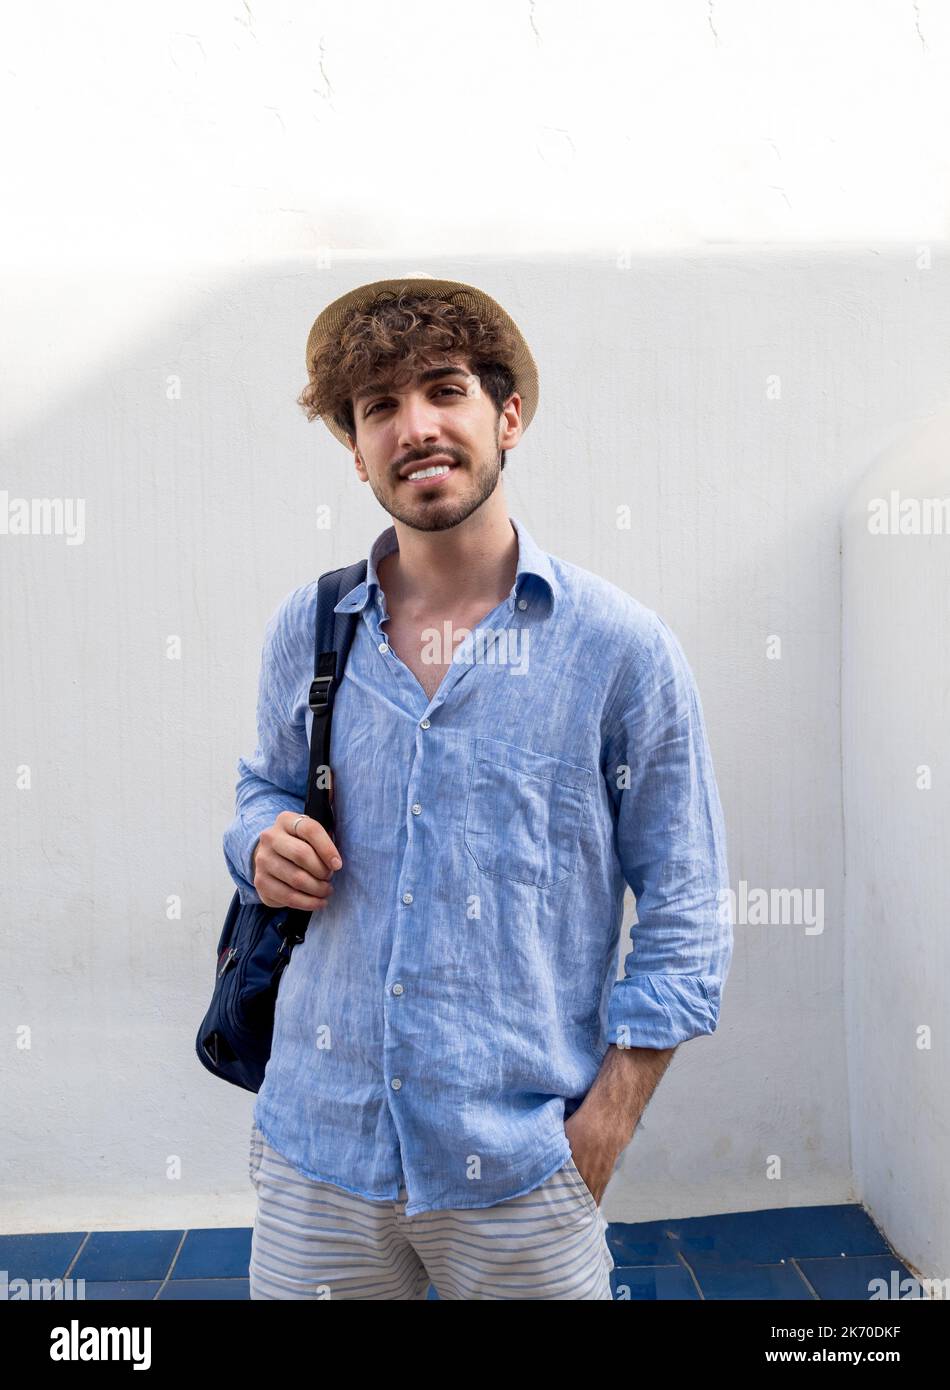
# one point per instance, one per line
(453, 1004)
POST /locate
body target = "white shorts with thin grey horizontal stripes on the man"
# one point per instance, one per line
(315, 1241)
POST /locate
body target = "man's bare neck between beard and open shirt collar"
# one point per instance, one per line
(471, 564)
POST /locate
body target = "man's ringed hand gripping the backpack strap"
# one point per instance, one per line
(294, 871)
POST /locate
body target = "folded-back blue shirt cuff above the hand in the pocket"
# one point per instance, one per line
(661, 1011)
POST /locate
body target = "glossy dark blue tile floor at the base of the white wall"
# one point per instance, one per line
(806, 1253)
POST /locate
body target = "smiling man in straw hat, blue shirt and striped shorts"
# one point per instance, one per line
(456, 1070)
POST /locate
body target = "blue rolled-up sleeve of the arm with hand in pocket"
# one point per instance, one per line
(671, 843)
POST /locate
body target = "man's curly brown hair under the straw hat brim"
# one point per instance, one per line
(398, 336)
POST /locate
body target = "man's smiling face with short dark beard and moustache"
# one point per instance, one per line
(443, 419)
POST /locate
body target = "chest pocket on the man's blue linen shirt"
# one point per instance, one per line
(524, 814)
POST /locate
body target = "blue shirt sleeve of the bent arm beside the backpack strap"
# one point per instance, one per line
(276, 778)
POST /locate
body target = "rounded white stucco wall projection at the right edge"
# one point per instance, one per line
(896, 733)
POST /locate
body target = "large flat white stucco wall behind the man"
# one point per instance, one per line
(738, 298)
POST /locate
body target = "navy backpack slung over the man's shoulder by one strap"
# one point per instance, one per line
(236, 1036)
